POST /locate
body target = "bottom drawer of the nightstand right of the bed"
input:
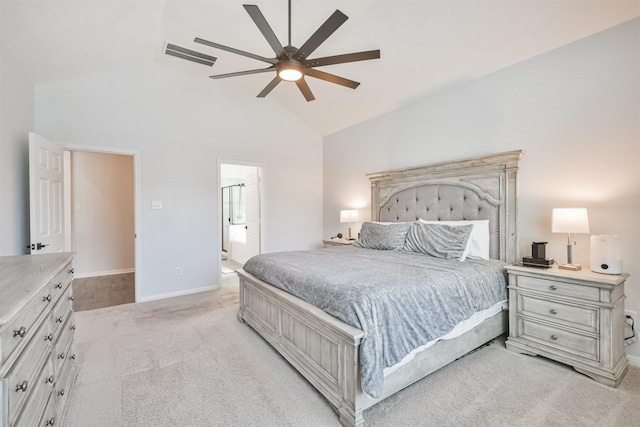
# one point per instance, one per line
(563, 341)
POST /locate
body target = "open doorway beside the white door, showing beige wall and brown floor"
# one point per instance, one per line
(101, 227)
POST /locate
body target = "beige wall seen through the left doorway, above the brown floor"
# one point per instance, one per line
(102, 213)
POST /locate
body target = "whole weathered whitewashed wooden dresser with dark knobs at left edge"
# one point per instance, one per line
(37, 358)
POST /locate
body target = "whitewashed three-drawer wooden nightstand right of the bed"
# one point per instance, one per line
(573, 317)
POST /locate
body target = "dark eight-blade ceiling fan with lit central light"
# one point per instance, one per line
(291, 63)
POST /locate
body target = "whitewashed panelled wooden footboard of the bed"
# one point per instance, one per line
(323, 349)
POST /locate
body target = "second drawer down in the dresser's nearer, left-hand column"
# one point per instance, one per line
(22, 377)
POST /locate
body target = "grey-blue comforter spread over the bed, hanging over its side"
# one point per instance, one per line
(401, 300)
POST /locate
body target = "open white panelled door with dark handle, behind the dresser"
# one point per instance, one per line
(46, 195)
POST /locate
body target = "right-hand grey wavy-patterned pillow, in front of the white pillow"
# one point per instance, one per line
(438, 240)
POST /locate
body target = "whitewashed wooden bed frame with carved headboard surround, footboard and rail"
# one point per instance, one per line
(325, 350)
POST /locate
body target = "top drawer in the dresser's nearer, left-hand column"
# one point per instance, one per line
(19, 329)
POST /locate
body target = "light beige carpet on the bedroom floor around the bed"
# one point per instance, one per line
(187, 361)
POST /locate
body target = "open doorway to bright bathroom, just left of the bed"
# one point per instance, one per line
(241, 201)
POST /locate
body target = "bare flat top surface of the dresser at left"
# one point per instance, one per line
(22, 276)
